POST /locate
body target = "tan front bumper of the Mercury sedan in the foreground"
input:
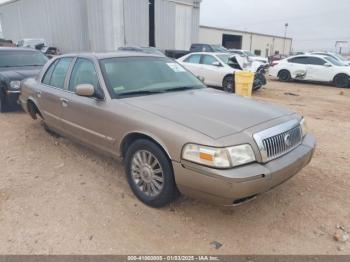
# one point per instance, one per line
(229, 187)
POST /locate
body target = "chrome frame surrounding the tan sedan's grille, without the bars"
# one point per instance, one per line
(272, 132)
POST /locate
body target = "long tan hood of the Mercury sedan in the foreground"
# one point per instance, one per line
(211, 112)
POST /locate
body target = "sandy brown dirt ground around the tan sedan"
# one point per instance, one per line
(57, 197)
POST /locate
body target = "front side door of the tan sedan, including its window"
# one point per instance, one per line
(87, 118)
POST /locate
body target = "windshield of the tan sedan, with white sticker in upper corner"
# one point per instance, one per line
(146, 75)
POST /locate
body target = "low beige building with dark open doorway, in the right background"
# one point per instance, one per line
(260, 44)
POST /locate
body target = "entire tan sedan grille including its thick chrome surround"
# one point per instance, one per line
(278, 140)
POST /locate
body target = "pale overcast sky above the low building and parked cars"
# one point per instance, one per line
(313, 24)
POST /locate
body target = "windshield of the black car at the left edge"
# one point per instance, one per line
(22, 58)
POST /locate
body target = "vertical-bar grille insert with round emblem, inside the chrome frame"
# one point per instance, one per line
(281, 144)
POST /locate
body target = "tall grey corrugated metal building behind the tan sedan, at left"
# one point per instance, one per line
(96, 25)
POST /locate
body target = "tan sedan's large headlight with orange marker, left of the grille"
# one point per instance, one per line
(218, 157)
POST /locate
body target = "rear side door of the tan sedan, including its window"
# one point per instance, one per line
(51, 90)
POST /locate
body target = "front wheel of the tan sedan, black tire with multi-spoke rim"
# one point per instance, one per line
(150, 174)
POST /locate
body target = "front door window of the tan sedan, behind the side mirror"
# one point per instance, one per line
(83, 73)
